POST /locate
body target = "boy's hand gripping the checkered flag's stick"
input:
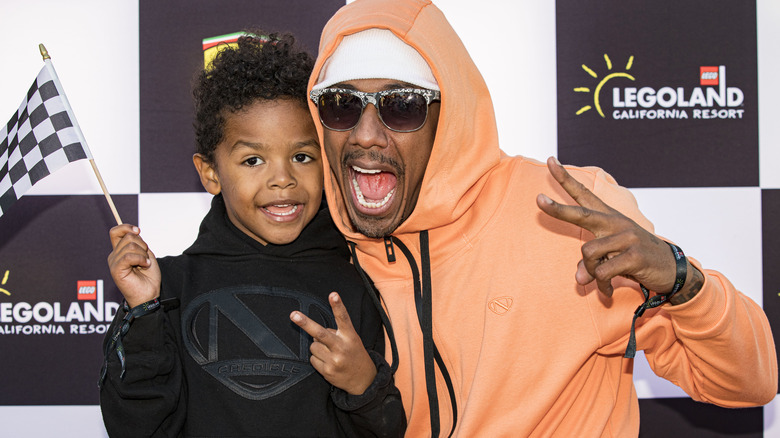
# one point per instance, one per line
(133, 266)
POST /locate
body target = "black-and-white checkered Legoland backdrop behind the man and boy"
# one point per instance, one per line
(677, 100)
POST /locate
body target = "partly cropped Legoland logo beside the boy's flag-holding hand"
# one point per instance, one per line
(88, 314)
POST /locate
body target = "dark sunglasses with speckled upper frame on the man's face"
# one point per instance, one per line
(400, 110)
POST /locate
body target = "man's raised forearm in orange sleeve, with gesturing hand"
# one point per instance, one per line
(710, 339)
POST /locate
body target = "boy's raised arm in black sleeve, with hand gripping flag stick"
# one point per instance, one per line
(142, 390)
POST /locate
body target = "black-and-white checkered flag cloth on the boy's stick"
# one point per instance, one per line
(39, 139)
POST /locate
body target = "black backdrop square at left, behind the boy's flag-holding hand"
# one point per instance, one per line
(47, 245)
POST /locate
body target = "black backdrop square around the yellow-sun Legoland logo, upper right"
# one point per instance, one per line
(669, 41)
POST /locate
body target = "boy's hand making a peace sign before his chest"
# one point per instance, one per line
(338, 354)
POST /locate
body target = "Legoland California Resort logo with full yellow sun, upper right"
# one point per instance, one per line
(712, 99)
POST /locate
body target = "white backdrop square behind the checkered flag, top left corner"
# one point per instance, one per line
(93, 45)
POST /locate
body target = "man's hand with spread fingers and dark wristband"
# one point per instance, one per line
(621, 246)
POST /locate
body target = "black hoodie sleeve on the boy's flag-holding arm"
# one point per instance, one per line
(149, 400)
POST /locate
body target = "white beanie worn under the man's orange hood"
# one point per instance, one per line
(376, 54)
